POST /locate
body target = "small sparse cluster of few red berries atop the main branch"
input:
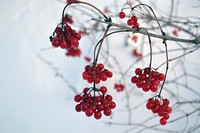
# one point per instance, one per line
(132, 21)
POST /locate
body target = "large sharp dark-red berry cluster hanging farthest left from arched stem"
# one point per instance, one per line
(65, 37)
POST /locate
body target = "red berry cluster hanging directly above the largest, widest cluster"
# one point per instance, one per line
(101, 73)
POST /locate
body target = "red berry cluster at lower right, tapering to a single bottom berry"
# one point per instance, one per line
(161, 107)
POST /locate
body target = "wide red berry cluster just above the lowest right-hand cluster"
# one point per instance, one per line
(147, 79)
